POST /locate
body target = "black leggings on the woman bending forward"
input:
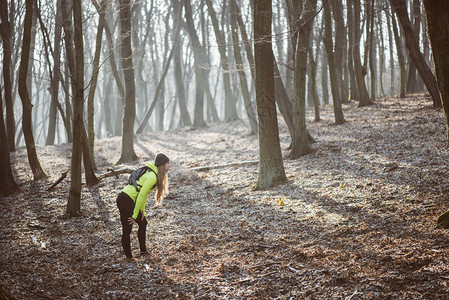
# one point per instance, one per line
(126, 206)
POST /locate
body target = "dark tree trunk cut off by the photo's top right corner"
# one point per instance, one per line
(437, 12)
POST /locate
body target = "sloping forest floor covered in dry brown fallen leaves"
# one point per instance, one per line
(356, 219)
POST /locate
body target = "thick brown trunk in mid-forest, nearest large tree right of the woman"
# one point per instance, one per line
(271, 169)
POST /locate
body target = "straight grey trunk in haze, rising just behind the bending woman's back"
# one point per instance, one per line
(128, 154)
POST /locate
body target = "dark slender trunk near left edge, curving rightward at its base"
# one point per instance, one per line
(25, 97)
